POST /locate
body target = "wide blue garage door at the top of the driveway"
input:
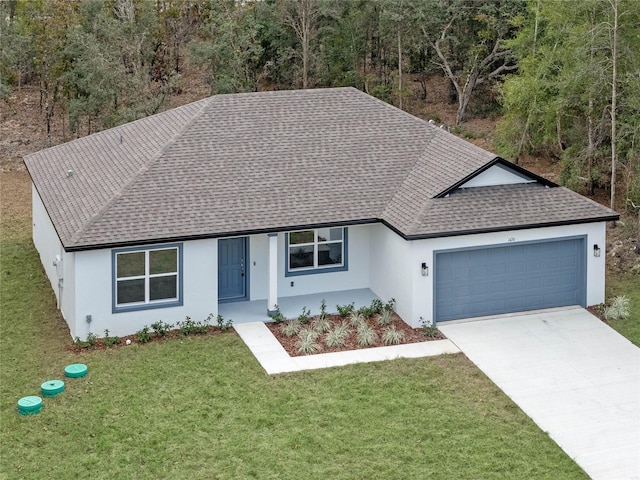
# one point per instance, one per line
(514, 278)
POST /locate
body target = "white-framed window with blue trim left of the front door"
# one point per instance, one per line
(147, 278)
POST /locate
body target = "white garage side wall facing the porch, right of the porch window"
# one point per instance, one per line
(392, 268)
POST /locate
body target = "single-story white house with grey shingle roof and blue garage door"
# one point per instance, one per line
(263, 196)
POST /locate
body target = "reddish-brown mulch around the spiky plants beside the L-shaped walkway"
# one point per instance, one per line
(411, 335)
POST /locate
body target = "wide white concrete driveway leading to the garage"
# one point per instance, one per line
(577, 378)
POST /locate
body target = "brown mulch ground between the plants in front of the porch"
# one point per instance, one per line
(409, 335)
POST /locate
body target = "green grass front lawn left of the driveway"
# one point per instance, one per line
(202, 407)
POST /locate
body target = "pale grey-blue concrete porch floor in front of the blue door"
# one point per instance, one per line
(291, 307)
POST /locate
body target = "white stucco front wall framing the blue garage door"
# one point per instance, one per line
(422, 251)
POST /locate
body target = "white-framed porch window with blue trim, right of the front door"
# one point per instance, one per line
(317, 250)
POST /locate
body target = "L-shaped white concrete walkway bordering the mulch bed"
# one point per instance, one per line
(274, 359)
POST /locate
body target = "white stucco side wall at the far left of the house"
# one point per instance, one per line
(62, 275)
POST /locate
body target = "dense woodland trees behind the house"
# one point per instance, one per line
(561, 77)
